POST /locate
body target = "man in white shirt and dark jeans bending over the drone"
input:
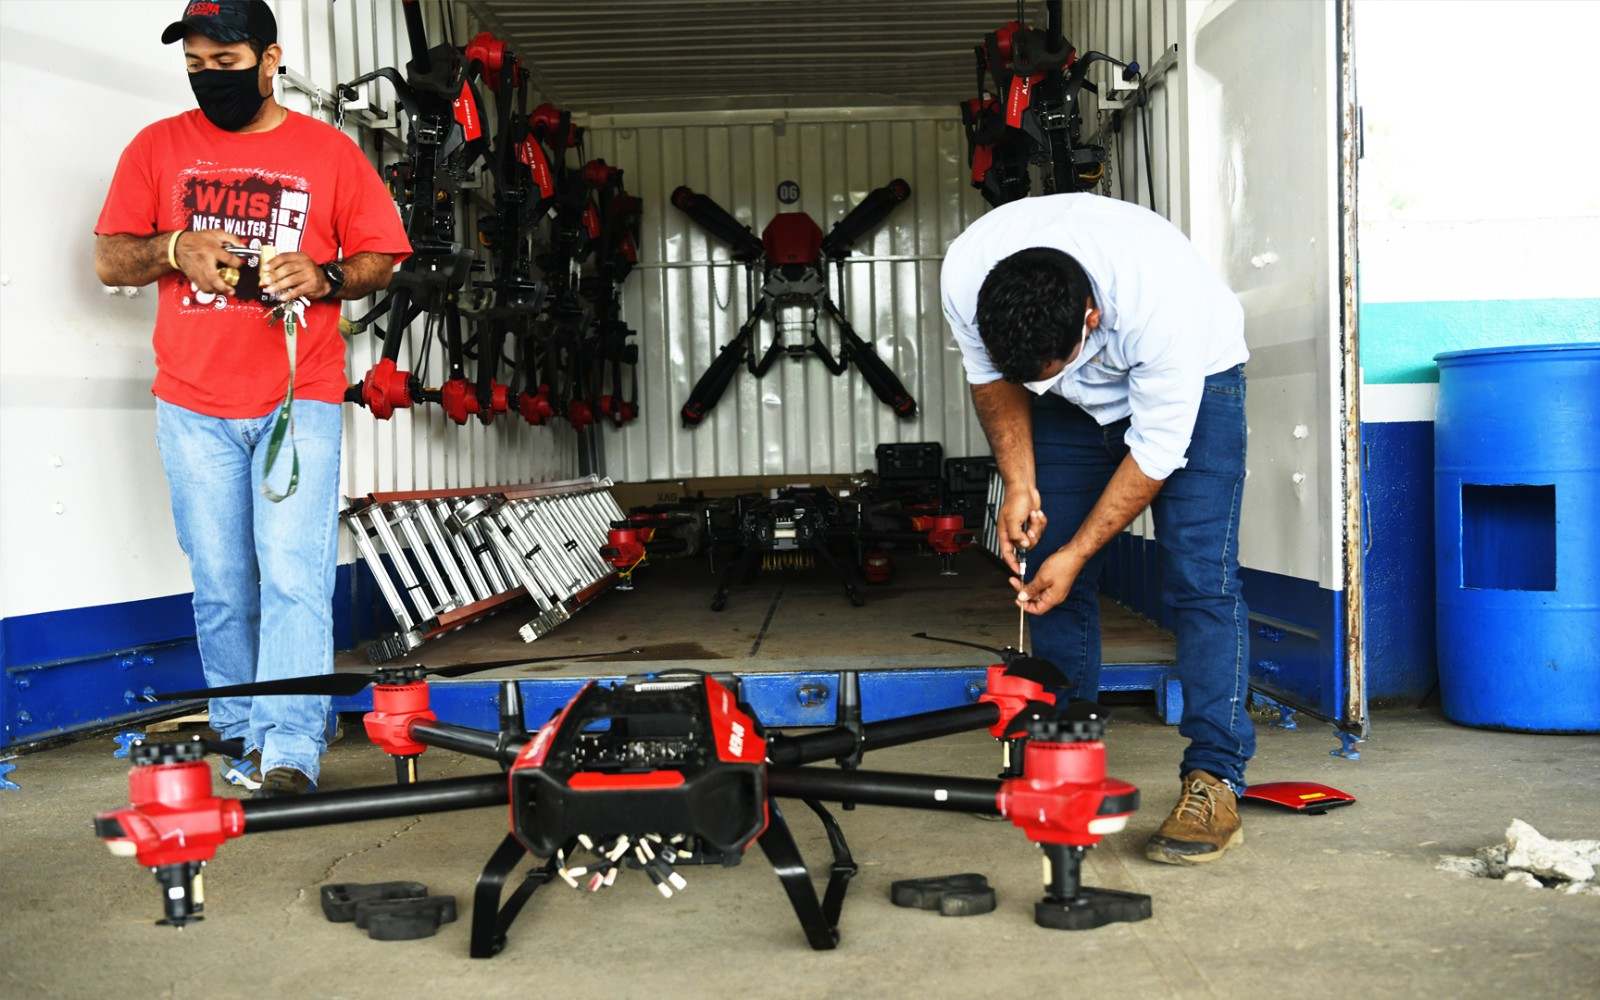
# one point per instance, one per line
(1106, 364)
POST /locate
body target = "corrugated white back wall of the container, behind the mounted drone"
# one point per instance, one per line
(687, 300)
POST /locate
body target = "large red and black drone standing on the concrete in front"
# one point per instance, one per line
(654, 774)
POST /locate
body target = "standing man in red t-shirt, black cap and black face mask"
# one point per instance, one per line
(262, 535)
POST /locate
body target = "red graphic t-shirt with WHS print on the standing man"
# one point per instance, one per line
(302, 186)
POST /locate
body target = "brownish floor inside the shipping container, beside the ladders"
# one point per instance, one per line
(782, 622)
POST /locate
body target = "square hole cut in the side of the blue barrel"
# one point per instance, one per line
(1508, 538)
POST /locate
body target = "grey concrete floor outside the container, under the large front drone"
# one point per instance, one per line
(1342, 905)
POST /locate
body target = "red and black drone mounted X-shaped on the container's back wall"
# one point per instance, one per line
(793, 257)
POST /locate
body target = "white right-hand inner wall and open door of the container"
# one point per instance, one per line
(1242, 158)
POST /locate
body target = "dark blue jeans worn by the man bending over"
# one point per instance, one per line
(1198, 535)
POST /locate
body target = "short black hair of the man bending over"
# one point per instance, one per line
(1031, 311)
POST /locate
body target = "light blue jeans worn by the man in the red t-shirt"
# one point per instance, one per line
(263, 572)
